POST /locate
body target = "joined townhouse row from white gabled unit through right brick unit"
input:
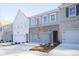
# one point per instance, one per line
(60, 25)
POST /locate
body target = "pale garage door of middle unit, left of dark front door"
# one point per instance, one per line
(43, 38)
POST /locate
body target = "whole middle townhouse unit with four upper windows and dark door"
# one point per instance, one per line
(44, 27)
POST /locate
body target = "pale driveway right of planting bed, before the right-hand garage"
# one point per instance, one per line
(65, 50)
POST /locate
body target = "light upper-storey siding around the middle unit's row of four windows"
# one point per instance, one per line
(41, 21)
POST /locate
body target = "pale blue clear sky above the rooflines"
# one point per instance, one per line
(8, 11)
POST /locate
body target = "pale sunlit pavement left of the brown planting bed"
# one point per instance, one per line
(20, 50)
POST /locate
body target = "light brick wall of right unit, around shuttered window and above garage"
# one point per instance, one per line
(67, 23)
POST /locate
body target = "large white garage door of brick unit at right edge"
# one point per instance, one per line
(71, 36)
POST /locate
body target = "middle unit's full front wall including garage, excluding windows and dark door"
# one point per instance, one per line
(38, 29)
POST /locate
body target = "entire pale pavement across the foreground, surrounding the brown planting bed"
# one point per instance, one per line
(23, 50)
